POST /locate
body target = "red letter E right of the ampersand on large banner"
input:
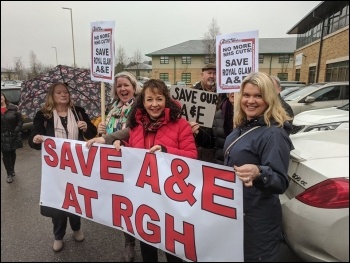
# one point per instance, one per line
(210, 190)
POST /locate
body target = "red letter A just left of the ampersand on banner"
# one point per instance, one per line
(149, 164)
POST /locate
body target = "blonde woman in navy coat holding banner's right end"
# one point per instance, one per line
(258, 149)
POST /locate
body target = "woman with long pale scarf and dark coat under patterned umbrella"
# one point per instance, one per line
(60, 118)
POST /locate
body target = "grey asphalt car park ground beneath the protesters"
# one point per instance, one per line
(27, 236)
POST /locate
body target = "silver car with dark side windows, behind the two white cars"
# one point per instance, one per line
(332, 94)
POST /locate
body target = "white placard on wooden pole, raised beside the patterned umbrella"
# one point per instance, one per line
(102, 51)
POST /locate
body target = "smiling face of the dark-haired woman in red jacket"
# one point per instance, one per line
(154, 103)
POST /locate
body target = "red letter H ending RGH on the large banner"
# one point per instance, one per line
(186, 238)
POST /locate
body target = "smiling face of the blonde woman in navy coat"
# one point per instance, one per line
(252, 102)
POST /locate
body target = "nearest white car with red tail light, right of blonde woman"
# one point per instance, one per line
(315, 206)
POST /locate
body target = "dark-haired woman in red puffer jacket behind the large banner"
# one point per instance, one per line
(155, 123)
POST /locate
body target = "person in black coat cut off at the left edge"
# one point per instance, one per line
(11, 125)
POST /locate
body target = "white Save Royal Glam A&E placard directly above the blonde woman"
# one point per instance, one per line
(237, 55)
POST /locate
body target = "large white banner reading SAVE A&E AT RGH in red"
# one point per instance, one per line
(186, 207)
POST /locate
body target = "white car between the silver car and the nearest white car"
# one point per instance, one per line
(322, 119)
